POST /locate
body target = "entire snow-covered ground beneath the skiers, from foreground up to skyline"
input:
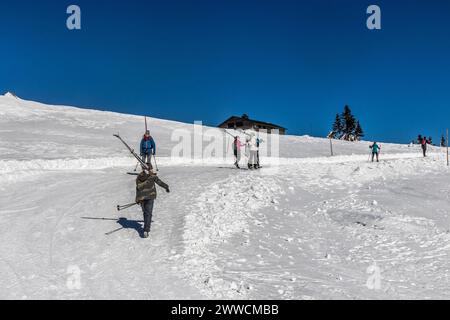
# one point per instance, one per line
(310, 228)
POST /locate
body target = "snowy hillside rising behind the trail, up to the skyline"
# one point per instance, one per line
(30, 129)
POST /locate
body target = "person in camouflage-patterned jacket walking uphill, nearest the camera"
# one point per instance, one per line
(146, 194)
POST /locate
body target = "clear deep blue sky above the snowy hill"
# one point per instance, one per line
(294, 63)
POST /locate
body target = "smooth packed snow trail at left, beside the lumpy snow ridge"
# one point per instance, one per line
(51, 224)
